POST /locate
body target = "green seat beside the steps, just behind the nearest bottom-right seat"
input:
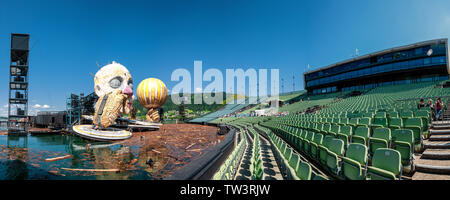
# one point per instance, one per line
(403, 141)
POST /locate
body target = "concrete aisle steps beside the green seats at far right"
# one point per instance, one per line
(434, 162)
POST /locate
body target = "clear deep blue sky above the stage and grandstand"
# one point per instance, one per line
(153, 38)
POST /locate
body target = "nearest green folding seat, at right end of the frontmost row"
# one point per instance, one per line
(386, 165)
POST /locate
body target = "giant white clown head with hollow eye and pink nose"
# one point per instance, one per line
(112, 77)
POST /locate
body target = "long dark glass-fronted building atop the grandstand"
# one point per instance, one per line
(419, 62)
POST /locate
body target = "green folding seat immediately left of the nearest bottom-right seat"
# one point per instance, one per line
(354, 160)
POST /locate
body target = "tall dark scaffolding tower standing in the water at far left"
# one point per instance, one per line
(18, 85)
